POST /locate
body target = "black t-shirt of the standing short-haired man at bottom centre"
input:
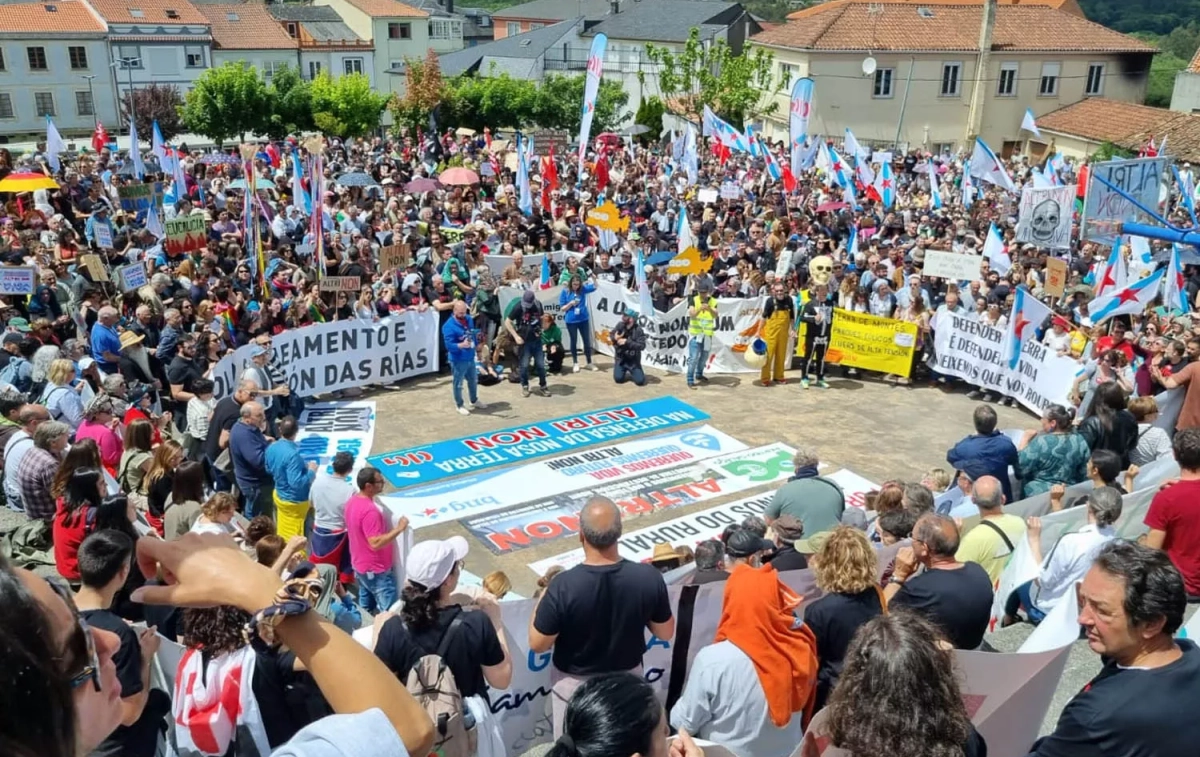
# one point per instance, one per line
(599, 615)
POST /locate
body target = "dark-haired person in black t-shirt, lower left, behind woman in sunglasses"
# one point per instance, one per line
(105, 562)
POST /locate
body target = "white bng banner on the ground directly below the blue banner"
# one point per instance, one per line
(496, 490)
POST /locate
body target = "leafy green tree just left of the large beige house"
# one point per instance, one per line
(737, 88)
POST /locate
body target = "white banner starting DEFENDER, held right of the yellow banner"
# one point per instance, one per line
(974, 352)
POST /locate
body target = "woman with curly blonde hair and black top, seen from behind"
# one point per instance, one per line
(847, 569)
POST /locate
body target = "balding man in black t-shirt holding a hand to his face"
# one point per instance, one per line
(955, 596)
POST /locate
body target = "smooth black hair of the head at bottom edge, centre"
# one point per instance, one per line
(611, 716)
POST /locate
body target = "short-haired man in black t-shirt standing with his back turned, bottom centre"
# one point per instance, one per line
(596, 615)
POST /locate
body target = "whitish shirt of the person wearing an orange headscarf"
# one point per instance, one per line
(724, 702)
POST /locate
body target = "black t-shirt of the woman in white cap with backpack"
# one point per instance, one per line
(475, 646)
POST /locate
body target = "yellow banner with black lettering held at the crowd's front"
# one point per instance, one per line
(871, 343)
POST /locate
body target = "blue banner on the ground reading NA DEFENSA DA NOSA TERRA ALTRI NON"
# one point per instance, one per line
(453, 458)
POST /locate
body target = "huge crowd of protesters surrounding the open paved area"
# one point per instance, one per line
(159, 503)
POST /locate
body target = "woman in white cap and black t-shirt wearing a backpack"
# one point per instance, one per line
(471, 642)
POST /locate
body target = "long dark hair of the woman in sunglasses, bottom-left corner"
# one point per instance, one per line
(38, 712)
